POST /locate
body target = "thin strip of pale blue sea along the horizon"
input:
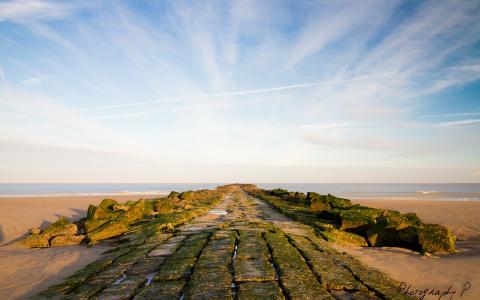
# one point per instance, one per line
(426, 191)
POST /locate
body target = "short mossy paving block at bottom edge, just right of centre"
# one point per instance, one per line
(259, 290)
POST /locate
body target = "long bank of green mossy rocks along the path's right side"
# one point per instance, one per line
(337, 219)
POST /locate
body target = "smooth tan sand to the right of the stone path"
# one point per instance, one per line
(440, 271)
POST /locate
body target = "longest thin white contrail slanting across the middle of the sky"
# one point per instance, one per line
(223, 94)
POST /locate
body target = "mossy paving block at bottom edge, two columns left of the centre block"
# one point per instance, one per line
(162, 290)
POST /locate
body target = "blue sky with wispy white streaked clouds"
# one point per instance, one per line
(239, 91)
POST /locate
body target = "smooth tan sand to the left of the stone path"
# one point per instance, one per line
(24, 272)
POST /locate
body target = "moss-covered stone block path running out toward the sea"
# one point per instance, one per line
(241, 249)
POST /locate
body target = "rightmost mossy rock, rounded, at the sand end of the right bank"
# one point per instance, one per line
(435, 238)
